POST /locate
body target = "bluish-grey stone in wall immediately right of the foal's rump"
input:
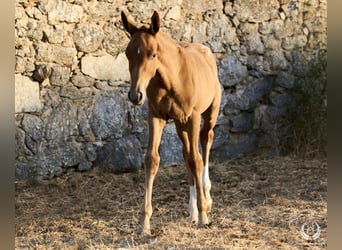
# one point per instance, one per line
(231, 71)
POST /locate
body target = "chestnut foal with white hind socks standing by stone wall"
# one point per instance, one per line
(181, 83)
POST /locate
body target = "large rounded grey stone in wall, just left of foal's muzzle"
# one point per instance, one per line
(109, 115)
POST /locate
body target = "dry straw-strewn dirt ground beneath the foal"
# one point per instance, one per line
(257, 204)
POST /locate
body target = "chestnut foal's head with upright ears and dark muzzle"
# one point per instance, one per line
(142, 55)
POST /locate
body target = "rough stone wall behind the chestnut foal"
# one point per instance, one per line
(71, 77)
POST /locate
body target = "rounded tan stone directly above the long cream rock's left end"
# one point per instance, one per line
(88, 37)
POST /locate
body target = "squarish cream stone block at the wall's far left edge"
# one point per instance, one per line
(26, 95)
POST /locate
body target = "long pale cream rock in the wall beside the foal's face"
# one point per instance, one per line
(106, 67)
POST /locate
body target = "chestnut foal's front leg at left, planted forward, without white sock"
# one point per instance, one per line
(152, 160)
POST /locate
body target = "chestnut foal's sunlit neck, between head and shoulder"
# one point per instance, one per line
(169, 59)
